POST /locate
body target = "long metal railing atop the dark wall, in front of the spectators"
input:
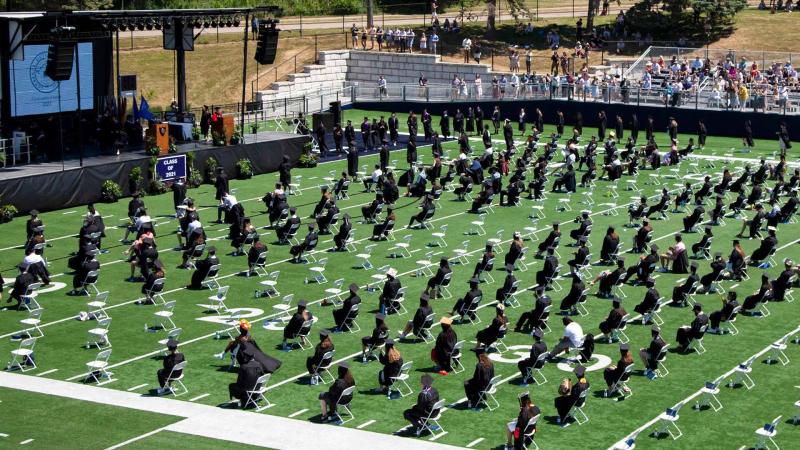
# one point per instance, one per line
(767, 102)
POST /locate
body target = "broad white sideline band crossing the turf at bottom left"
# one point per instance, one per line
(225, 424)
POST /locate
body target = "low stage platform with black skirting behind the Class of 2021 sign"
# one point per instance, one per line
(53, 185)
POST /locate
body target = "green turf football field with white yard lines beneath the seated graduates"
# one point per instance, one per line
(61, 353)
